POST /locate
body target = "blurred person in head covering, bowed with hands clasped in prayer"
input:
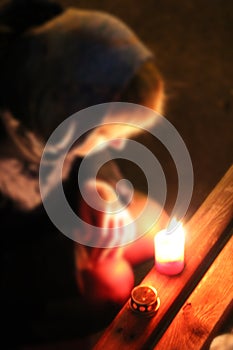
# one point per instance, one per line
(55, 62)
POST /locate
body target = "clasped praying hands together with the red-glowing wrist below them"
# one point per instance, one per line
(103, 274)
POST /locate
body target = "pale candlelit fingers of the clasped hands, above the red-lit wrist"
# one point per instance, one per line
(107, 224)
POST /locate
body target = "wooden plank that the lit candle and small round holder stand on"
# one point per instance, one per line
(206, 235)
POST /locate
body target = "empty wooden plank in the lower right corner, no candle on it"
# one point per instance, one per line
(197, 322)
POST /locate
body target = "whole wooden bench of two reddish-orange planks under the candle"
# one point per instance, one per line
(195, 303)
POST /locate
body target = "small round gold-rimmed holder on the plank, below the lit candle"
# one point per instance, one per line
(144, 300)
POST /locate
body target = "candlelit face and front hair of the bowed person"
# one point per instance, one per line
(146, 88)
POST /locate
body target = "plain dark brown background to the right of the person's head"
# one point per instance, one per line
(192, 41)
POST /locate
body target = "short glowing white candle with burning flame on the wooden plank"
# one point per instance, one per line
(169, 249)
